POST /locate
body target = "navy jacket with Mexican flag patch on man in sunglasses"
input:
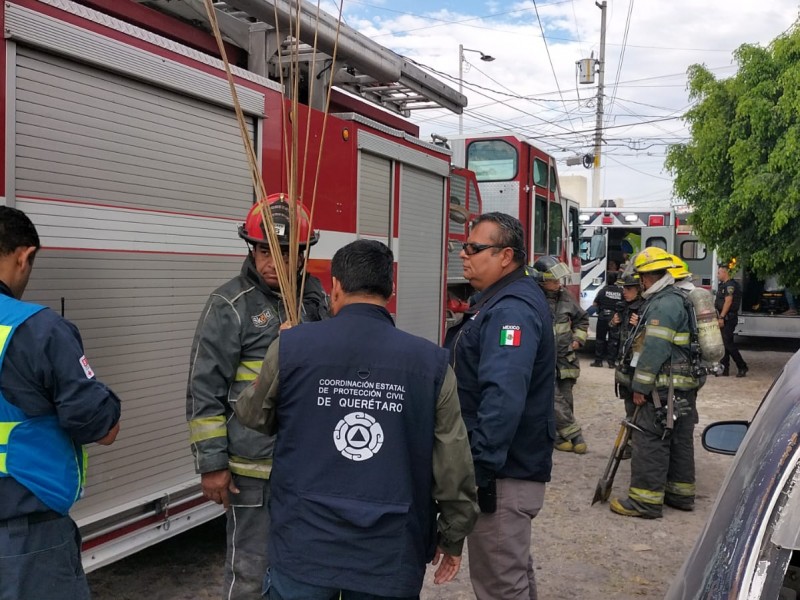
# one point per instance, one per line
(507, 405)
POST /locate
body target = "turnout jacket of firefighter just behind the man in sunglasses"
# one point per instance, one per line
(571, 324)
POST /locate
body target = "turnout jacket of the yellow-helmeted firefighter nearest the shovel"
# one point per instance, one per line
(662, 345)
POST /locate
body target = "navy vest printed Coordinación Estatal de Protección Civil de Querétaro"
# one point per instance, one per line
(351, 501)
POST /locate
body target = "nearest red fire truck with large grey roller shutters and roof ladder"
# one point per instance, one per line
(119, 140)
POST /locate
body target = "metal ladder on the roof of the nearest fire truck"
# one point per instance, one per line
(363, 67)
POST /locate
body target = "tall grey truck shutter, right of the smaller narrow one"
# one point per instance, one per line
(420, 259)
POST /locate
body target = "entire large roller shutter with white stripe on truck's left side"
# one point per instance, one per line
(137, 192)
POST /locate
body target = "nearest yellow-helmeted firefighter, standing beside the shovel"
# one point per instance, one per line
(665, 388)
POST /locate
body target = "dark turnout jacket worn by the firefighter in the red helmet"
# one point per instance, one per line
(240, 320)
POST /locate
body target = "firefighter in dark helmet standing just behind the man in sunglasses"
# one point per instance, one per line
(571, 324)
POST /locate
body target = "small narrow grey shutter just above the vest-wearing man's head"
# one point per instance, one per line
(375, 197)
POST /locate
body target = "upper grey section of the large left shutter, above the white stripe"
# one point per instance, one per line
(87, 134)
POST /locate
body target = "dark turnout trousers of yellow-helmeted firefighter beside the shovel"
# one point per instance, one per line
(662, 466)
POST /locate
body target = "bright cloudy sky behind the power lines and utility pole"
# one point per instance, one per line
(531, 87)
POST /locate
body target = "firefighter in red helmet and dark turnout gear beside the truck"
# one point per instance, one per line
(240, 320)
